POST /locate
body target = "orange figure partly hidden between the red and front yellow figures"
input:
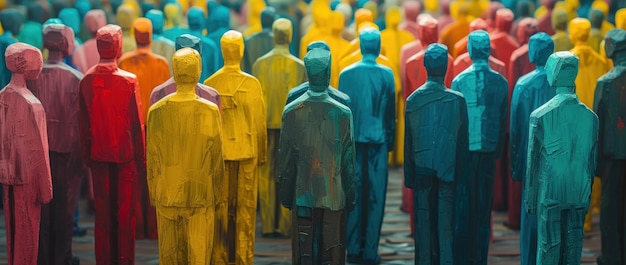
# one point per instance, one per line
(151, 70)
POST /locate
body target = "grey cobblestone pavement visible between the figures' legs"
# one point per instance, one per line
(396, 247)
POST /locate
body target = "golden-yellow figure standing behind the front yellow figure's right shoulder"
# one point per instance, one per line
(244, 144)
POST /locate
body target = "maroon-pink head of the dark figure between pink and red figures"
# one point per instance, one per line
(58, 38)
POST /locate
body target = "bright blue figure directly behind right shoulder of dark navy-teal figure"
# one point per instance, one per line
(486, 93)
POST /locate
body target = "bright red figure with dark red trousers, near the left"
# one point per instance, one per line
(114, 148)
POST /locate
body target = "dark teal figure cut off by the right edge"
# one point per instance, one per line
(610, 106)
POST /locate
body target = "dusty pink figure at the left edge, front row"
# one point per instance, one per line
(24, 160)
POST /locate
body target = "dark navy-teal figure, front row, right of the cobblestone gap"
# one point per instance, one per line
(435, 155)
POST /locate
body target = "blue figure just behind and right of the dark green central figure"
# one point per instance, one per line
(371, 89)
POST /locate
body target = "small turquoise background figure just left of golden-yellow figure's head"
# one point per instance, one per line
(196, 21)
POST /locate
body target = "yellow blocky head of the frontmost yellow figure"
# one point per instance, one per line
(186, 65)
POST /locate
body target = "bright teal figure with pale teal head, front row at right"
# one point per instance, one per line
(562, 153)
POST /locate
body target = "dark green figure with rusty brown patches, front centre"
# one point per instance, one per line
(317, 182)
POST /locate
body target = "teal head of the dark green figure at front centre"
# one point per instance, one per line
(317, 63)
